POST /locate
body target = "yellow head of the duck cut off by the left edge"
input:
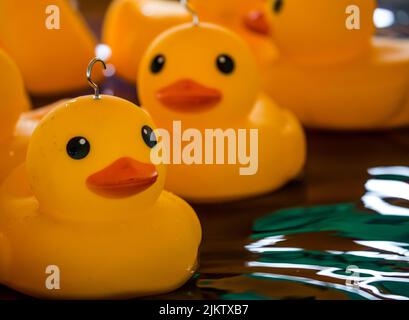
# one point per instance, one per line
(13, 98)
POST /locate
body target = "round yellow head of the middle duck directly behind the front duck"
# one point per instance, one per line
(190, 72)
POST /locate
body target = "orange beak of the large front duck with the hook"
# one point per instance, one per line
(123, 178)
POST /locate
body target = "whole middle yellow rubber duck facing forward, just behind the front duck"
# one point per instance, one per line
(206, 77)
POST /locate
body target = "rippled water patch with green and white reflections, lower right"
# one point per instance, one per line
(343, 251)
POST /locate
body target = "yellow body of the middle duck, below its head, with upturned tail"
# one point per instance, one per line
(280, 158)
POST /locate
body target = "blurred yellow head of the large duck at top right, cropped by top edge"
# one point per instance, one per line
(320, 30)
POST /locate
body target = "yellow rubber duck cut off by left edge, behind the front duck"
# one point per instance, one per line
(16, 121)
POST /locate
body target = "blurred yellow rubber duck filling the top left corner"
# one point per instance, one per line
(51, 60)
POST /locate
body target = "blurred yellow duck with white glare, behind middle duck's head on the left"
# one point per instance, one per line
(130, 26)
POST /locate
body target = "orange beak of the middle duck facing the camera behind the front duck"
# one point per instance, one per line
(188, 95)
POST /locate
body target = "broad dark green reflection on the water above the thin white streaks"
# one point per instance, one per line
(344, 219)
